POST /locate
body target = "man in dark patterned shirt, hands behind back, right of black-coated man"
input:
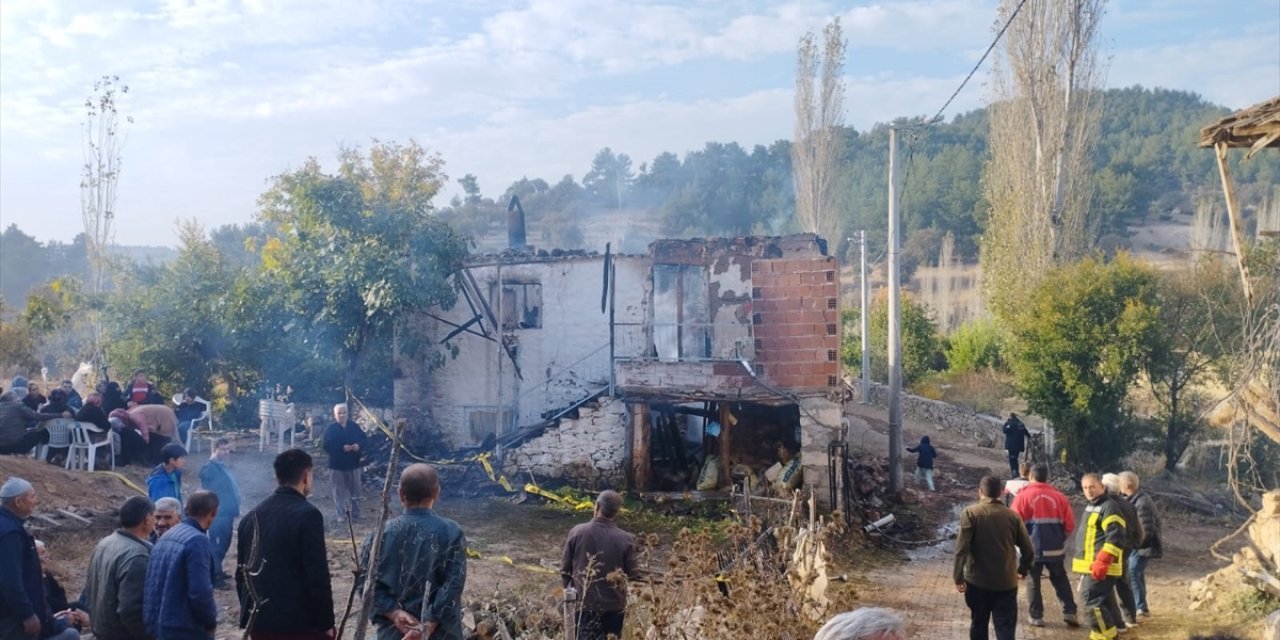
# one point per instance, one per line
(423, 557)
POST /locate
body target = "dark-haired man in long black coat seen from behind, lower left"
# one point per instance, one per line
(284, 572)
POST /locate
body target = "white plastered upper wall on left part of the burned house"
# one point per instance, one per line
(570, 349)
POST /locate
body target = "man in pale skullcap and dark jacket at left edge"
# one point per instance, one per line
(24, 611)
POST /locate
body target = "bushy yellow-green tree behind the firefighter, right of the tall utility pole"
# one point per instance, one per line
(1077, 348)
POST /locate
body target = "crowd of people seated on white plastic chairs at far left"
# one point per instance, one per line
(135, 418)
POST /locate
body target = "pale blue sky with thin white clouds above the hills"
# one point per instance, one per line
(226, 94)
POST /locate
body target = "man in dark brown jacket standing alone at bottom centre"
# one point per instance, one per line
(593, 552)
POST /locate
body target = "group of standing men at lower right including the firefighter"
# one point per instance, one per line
(999, 546)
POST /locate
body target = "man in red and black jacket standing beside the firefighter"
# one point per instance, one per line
(1050, 523)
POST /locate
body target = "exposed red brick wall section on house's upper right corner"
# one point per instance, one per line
(797, 316)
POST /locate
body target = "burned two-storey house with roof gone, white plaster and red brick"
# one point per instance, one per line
(614, 368)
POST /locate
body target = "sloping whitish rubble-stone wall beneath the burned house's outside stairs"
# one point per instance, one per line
(589, 450)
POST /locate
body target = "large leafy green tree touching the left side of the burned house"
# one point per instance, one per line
(362, 248)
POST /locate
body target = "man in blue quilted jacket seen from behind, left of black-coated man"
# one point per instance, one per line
(179, 601)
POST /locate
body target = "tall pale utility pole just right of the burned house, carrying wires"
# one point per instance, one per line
(895, 348)
